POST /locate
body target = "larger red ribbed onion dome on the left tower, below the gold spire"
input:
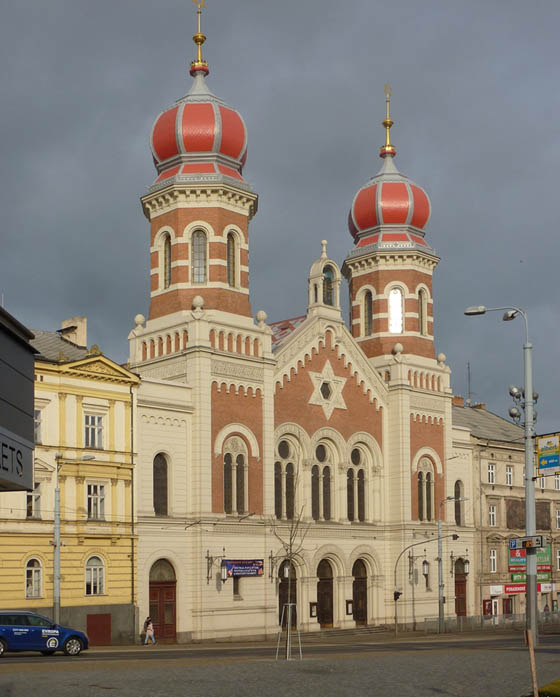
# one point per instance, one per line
(199, 135)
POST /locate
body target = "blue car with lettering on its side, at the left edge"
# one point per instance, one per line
(27, 631)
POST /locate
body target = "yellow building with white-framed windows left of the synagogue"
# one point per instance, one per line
(83, 440)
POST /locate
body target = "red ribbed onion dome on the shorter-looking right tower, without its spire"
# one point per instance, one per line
(388, 201)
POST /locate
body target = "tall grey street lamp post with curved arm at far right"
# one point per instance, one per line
(530, 515)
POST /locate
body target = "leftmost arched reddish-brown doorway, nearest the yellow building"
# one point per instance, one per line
(163, 605)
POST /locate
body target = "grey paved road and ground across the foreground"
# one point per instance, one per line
(475, 666)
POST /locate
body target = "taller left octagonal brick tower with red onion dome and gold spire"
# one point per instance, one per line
(199, 205)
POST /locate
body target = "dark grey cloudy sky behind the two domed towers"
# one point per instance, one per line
(475, 104)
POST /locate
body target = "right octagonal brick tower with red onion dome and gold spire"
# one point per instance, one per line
(390, 268)
